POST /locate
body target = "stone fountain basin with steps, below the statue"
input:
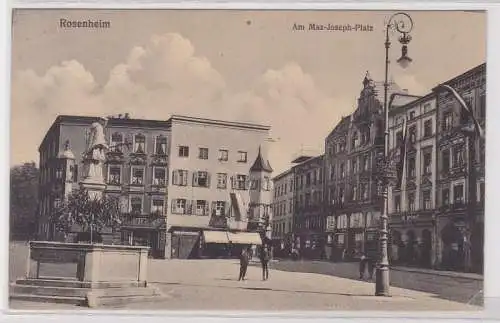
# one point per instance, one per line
(85, 274)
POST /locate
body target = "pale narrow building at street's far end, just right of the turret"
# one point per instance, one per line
(283, 208)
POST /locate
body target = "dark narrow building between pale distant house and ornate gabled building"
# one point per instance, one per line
(309, 222)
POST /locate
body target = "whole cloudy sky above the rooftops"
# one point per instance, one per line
(231, 65)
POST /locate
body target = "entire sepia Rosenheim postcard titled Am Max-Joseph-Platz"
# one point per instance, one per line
(247, 160)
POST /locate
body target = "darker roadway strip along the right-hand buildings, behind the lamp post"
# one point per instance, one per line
(457, 289)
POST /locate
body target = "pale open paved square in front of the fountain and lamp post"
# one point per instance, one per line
(212, 285)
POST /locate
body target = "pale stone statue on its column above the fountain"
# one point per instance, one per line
(95, 153)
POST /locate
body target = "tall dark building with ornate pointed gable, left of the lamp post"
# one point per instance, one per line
(353, 201)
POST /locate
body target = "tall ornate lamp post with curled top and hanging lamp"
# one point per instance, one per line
(402, 23)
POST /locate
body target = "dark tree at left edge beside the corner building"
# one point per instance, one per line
(23, 200)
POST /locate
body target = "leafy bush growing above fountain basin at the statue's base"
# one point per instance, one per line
(90, 214)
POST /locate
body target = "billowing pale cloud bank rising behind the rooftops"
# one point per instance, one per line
(166, 76)
